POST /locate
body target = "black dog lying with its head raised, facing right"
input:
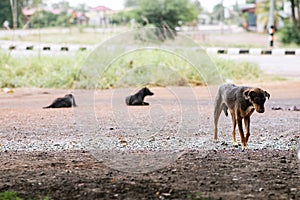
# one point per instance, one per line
(138, 98)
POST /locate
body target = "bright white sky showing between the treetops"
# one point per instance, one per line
(119, 4)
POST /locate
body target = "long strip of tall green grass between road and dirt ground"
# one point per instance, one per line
(154, 68)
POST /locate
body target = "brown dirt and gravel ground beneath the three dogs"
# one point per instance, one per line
(41, 155)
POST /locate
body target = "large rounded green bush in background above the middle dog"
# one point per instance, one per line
(166, 13)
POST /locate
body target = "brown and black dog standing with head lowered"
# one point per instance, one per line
(241, 102)
